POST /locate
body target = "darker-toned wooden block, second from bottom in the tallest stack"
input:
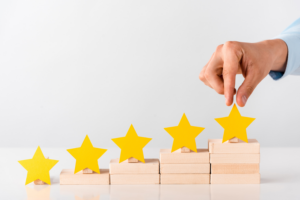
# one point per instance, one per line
(249, 168)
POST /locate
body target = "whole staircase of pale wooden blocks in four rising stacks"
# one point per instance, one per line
(222, 163)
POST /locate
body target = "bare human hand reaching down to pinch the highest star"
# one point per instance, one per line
(253, 60)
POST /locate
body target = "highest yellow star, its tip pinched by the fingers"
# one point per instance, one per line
(235, 125)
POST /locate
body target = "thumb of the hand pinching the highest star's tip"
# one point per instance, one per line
(246, 89)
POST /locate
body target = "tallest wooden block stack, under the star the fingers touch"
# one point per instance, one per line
(234, 163)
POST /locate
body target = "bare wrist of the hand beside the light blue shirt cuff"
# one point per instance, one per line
(279, 54)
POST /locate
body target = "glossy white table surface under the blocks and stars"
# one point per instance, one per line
(280, 179)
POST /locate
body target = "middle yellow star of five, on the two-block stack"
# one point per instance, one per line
(131, 145)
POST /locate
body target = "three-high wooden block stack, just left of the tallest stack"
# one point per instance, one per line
(184, 166)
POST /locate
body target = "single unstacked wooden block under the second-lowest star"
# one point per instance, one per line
(67, 177)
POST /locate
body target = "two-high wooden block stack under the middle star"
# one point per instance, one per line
(134, 172)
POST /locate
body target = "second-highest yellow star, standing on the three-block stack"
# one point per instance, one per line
(184, 134)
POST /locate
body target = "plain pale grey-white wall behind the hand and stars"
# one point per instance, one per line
(71, 68)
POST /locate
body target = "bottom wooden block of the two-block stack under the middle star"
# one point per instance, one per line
(134, 179)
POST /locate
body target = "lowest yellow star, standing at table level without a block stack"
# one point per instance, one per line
(38, 167)
